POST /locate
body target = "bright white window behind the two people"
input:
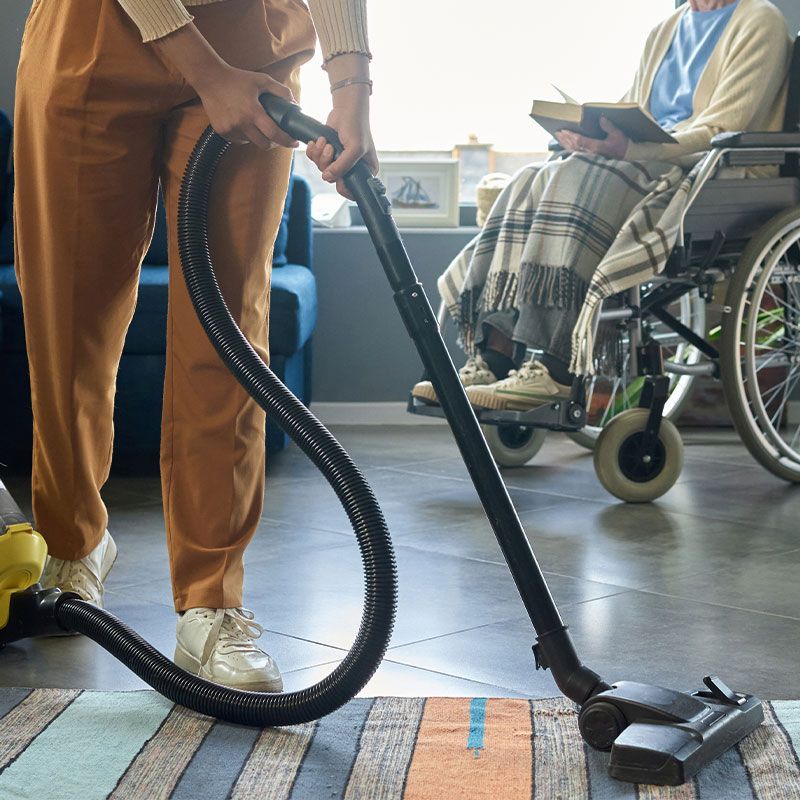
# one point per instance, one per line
(448, 70)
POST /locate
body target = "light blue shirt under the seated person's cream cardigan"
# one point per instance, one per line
(672, 96)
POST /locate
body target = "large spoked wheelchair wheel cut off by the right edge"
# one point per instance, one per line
(760, 346)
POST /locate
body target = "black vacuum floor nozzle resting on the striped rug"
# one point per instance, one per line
(662, 736)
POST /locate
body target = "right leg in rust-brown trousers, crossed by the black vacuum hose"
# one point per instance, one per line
(212, 445)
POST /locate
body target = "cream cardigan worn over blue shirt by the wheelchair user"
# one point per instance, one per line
(743, 87)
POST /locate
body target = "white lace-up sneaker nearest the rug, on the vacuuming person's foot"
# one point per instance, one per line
(217, 644)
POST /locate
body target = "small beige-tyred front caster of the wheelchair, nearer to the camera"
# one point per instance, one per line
(620, 466)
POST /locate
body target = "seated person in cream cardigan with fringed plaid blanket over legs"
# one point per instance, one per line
(563, 235)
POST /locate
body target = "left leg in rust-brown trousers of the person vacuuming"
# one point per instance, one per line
(85, 149)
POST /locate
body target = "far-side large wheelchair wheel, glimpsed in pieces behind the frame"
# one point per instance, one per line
(608, 395)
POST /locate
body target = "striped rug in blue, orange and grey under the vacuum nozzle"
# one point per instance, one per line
(63, 744)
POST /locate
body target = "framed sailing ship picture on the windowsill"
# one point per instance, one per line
(424, 194)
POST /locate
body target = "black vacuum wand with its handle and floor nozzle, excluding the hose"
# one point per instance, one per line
(655, 735)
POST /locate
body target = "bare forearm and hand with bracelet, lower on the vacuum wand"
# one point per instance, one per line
(350, 118)
